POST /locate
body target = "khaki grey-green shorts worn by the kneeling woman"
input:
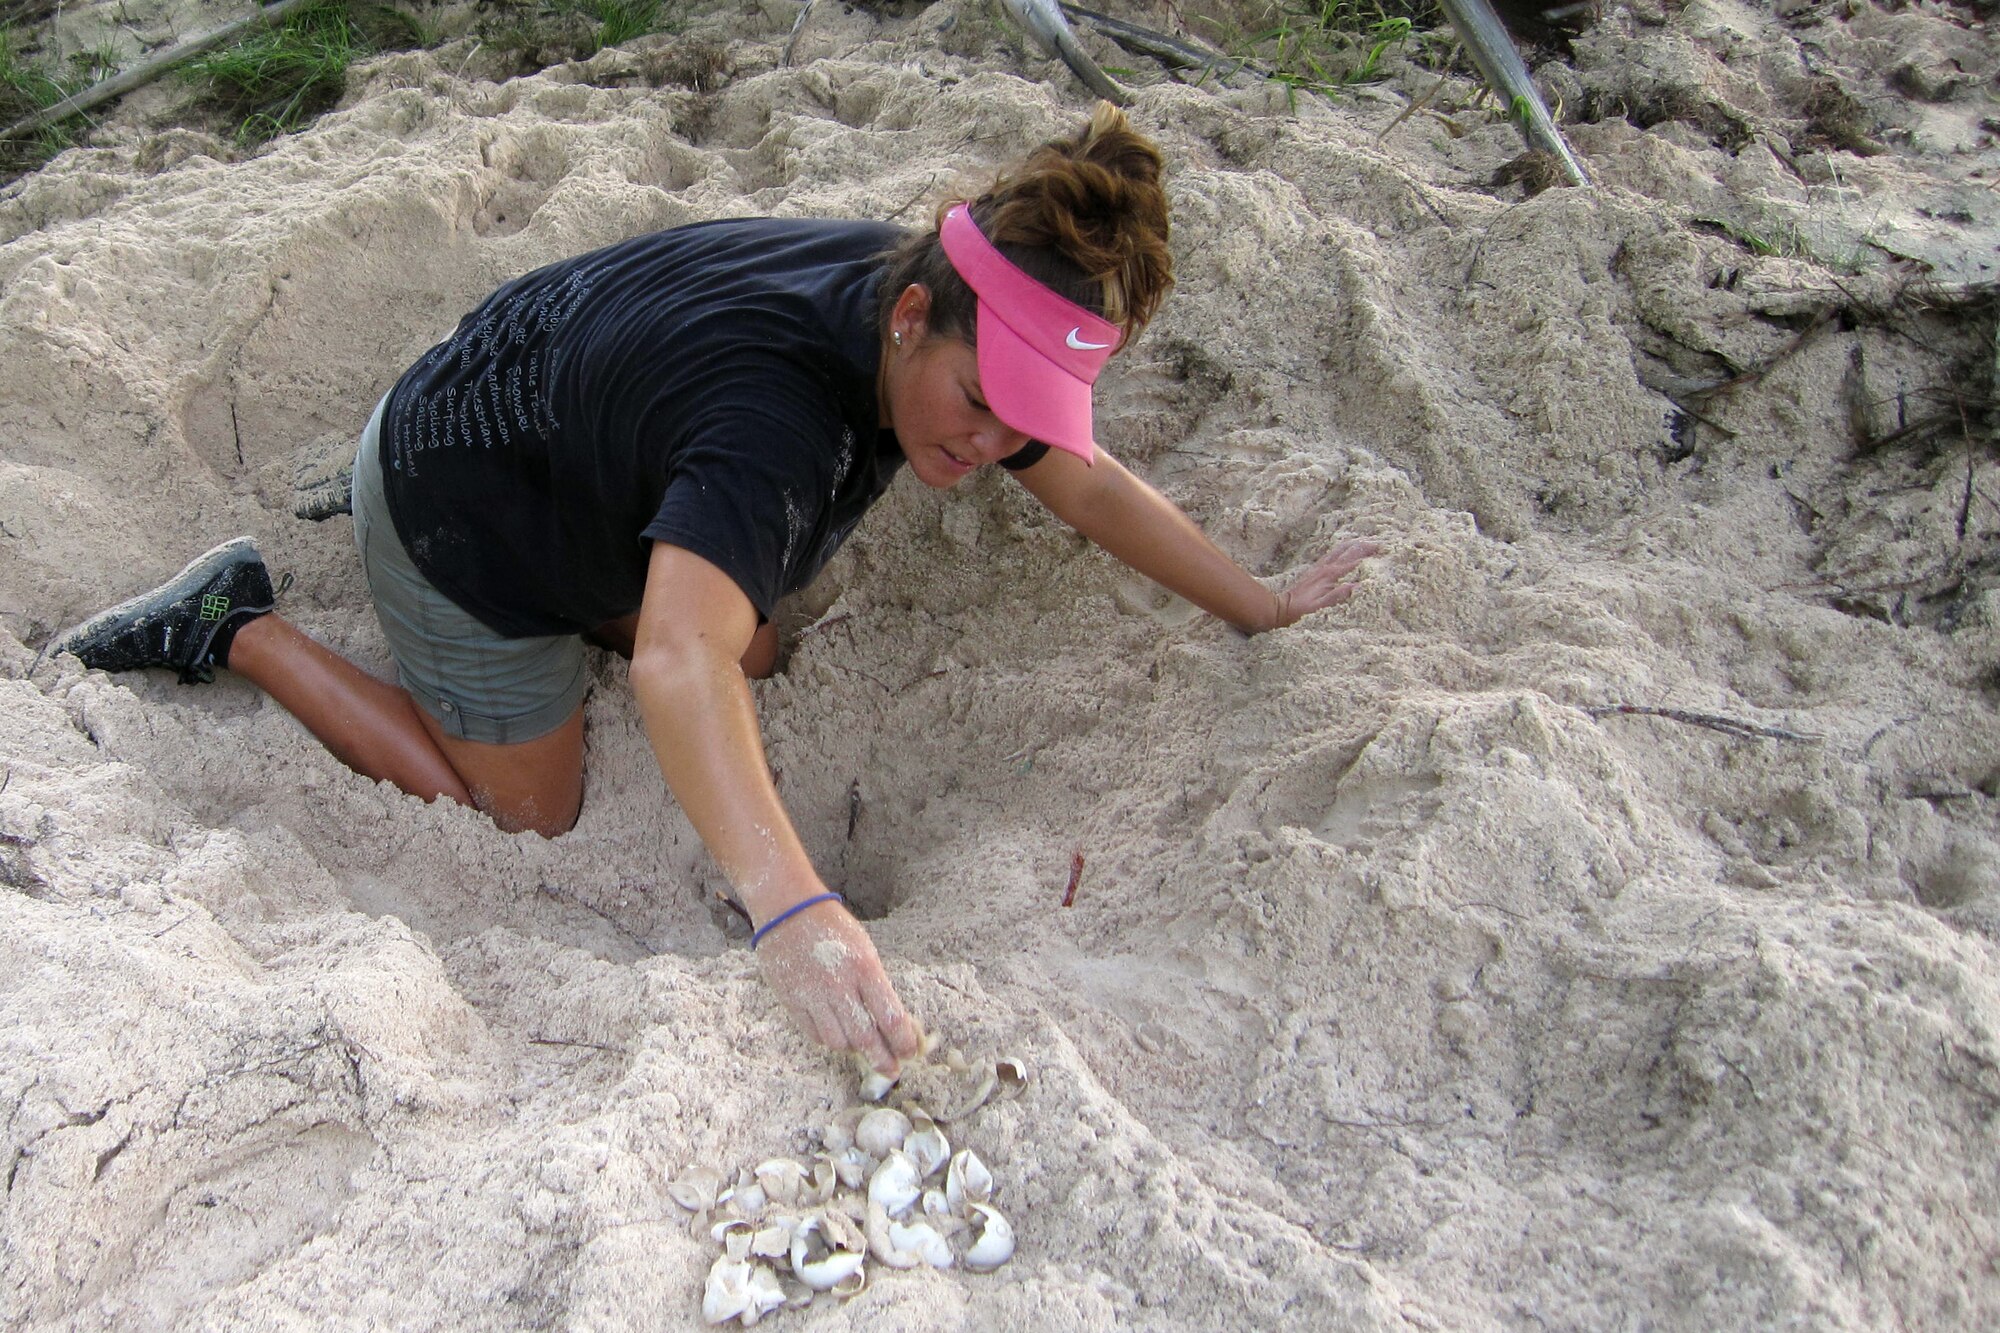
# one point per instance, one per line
(459, 670)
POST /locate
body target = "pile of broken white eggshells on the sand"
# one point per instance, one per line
(885, 1186)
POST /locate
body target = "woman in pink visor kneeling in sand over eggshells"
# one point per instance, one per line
(657, 441)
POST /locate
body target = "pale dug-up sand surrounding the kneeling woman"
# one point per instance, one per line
(1405, 988)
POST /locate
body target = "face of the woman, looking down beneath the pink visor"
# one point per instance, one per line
(933, 401)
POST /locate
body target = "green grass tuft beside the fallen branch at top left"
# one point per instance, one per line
(283, 77)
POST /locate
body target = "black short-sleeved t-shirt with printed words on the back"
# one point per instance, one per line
(711, 387)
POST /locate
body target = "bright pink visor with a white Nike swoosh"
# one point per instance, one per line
(1039, 353)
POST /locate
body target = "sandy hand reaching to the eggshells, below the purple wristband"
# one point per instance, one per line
(825, 968)
